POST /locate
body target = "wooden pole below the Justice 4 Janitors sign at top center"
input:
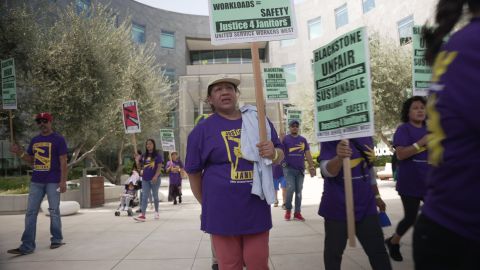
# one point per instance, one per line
(257, 74)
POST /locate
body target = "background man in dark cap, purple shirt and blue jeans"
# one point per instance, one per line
(296, 149)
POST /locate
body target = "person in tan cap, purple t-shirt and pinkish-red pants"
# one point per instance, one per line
(221, 180)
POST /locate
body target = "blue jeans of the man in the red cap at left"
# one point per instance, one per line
(35, 197)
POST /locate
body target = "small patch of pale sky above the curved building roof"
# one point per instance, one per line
(198, 7)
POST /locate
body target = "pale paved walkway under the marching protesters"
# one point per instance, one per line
(96, 239)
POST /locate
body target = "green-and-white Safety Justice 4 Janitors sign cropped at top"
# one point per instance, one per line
(233, 21)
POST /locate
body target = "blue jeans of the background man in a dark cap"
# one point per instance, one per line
(294, 179)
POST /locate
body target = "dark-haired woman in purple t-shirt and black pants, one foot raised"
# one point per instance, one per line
(409, 140)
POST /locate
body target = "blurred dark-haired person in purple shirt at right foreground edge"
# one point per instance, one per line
(447, 233)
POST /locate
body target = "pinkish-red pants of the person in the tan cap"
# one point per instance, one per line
(235, 251)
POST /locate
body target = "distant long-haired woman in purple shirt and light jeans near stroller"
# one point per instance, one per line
(151, 164)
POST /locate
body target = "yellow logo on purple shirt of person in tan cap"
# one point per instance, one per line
(234, 153)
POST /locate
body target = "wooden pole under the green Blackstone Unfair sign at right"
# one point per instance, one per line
(347, 178)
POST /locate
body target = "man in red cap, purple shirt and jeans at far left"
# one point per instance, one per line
(47, 154)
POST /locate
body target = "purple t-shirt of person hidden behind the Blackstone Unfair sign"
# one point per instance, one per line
(332, 205)
